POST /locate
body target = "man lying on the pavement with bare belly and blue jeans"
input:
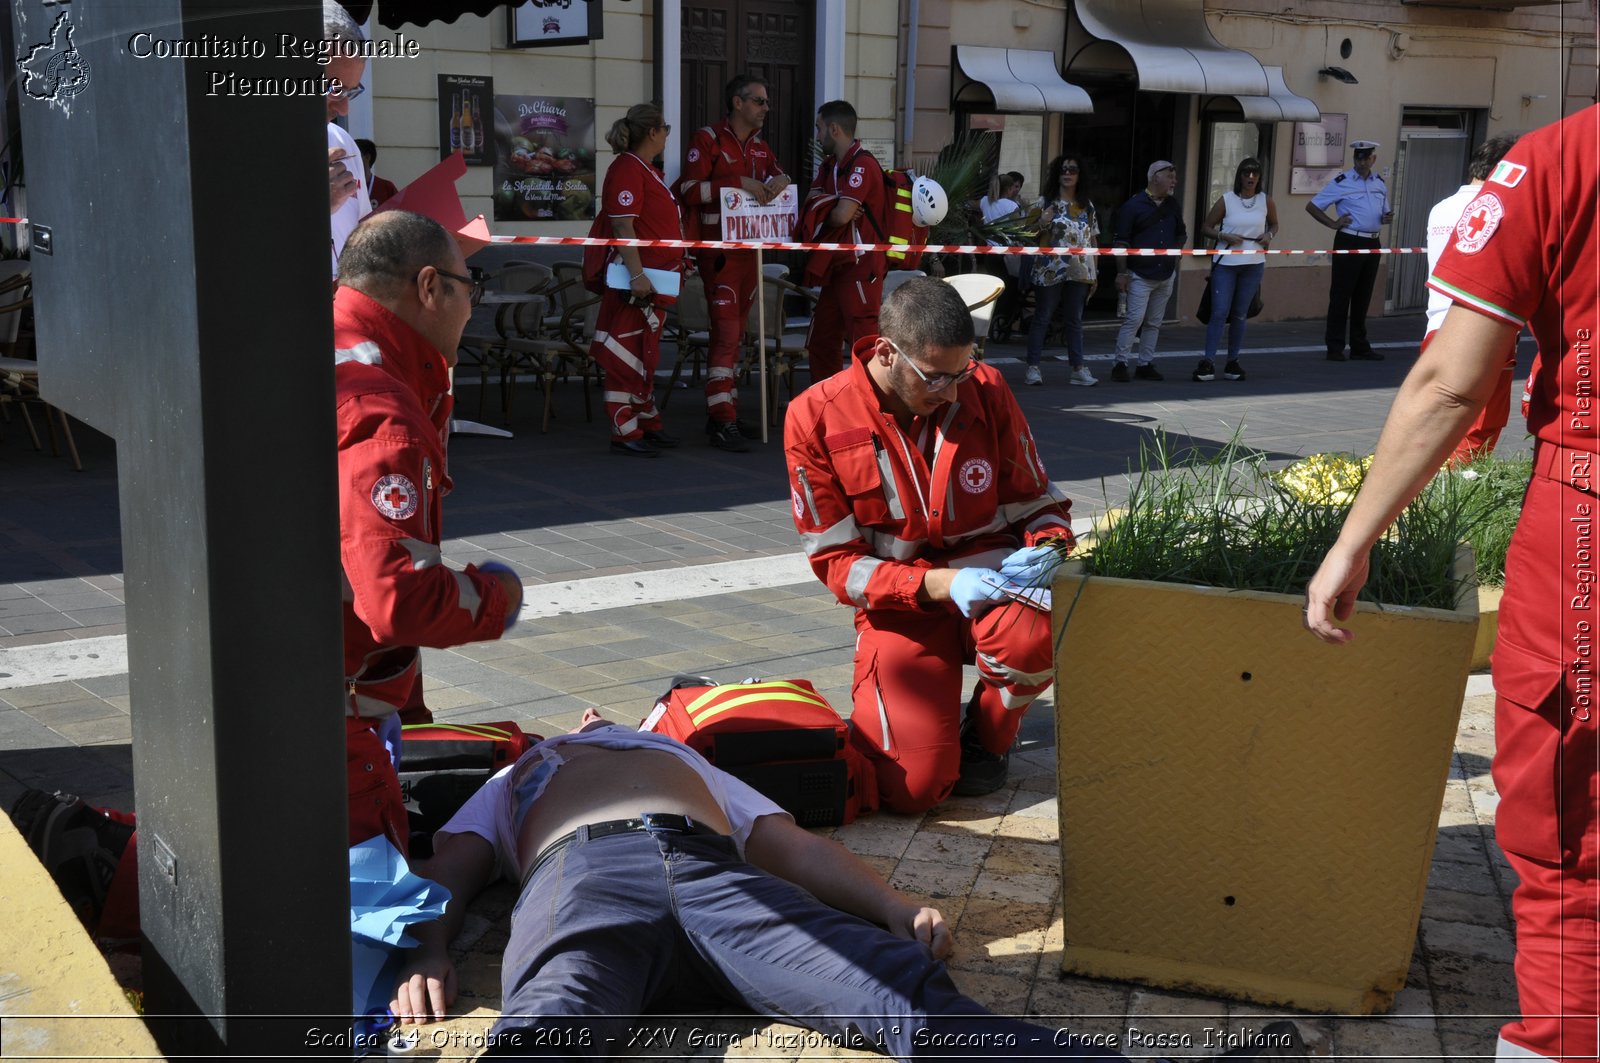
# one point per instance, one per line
(654, 881)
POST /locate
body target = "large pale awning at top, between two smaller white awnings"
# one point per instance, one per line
(1172, 47)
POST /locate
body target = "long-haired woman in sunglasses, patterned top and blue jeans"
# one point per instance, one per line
(1066, 219)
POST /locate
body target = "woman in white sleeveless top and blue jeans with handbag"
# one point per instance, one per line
(1242, 220)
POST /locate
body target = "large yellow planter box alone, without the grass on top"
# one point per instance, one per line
(1244, 809)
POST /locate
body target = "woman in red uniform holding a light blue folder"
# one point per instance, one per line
(628, 334)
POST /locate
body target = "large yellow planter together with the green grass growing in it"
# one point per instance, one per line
(1244, 809)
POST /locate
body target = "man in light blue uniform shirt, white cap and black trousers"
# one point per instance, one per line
(1361, 199)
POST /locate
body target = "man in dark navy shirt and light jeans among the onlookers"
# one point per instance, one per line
(1151, 219)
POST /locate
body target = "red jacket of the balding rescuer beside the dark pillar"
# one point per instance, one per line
(393, 393)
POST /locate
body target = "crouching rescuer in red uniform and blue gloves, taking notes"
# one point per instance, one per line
(922, 502)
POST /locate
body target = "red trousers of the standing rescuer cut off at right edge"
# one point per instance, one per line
(1548, 764)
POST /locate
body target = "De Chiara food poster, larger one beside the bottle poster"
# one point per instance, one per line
(545, 159)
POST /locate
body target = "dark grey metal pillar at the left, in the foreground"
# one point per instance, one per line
(183, 307)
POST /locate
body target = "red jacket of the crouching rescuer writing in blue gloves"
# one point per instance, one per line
(874, 511)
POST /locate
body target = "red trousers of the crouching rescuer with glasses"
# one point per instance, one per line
(908, 692)
